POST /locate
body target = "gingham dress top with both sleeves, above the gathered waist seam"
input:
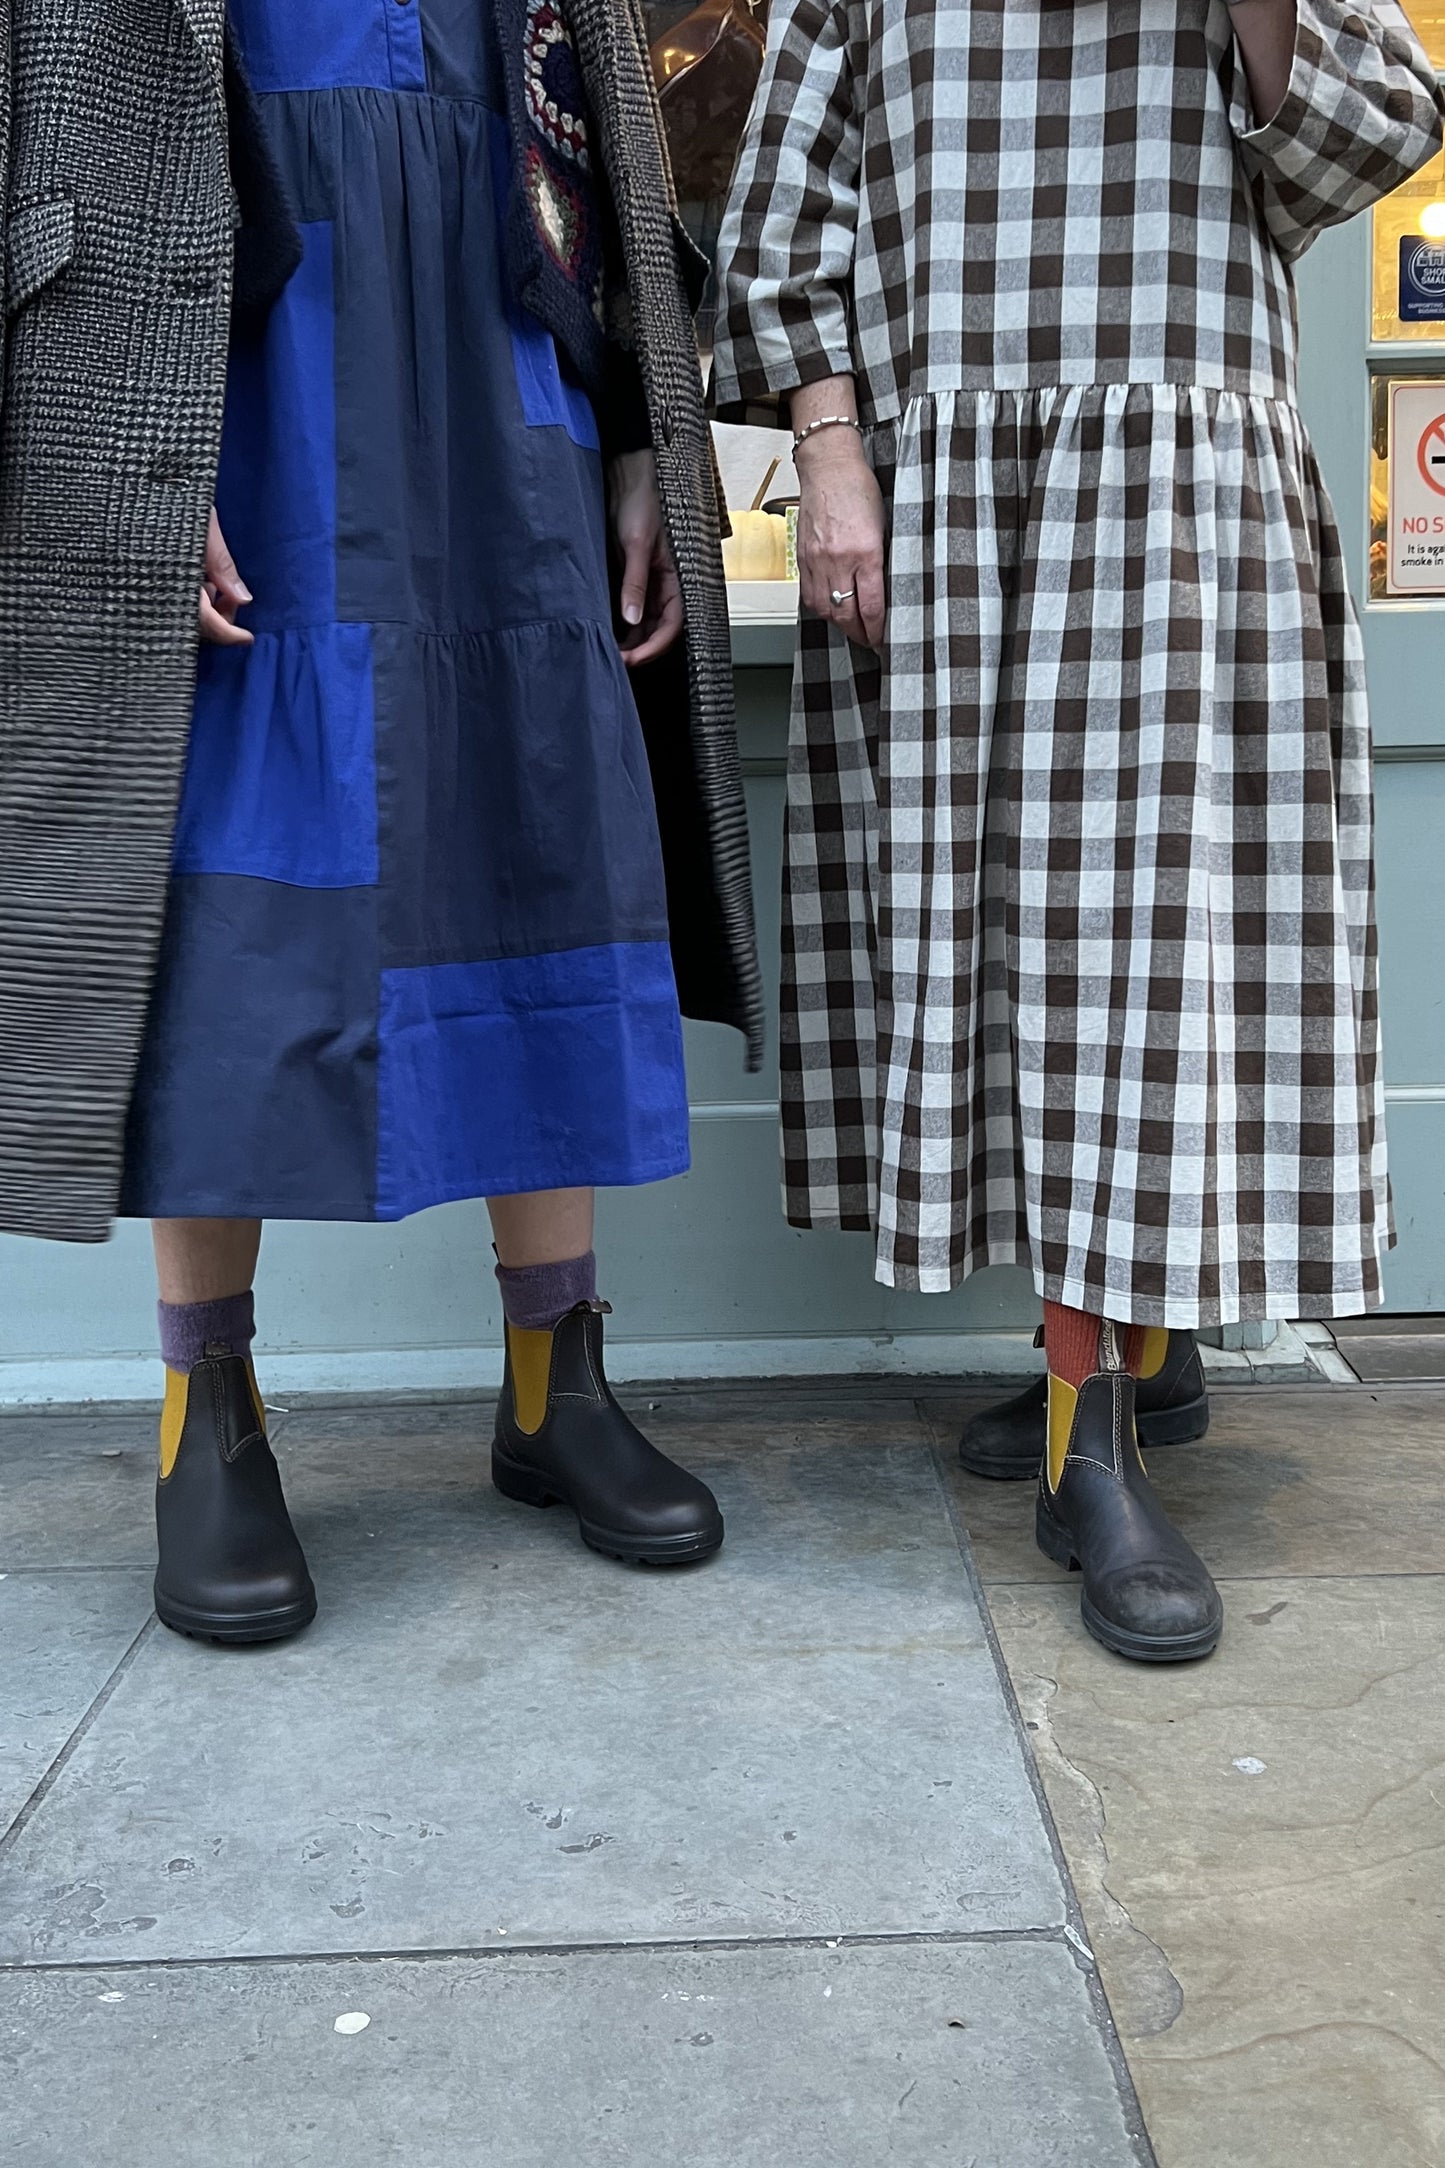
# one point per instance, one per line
(1006, 194)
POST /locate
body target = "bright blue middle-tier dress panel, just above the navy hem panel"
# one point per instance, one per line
(283, 777)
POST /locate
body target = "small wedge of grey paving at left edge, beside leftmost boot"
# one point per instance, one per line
(64, 1638)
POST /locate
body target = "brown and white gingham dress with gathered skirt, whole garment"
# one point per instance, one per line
(1080, 955)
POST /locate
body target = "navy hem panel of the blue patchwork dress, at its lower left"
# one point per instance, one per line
(259, 1081)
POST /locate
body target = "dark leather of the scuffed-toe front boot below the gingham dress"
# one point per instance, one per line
(1145, 1590)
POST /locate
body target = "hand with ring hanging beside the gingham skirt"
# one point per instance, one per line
(842, 537)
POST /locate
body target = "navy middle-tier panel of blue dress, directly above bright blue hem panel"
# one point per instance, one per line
(512, 769)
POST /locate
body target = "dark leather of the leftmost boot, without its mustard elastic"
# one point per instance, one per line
(231, 1564)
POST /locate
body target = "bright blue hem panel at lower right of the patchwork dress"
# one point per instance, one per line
(530, 1074)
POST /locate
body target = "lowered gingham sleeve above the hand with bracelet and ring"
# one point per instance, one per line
(787, 244)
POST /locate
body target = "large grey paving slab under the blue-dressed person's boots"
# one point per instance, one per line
(491, 1729)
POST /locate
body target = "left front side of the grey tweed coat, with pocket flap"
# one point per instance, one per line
(118, 233)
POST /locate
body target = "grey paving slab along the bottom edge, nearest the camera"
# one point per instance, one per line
(640, 2061)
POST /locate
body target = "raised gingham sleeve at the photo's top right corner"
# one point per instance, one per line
(1362, 114)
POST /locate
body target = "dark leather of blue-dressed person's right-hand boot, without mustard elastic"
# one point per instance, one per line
(629, 1499)
